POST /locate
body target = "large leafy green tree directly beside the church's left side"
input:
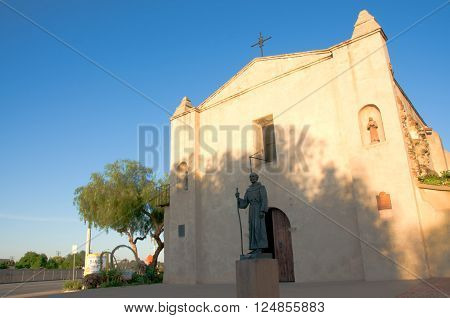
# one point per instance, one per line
(121, 199)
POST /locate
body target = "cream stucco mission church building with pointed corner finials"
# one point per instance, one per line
(338, 146)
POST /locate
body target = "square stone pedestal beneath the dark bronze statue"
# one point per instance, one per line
(257, 278)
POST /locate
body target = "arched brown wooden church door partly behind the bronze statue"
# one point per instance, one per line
(280, 243)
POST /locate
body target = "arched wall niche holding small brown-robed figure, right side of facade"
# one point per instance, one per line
(371, 125)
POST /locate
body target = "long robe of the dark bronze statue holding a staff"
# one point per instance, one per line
(256, 196)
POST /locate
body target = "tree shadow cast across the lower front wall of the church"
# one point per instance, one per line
(337, 231)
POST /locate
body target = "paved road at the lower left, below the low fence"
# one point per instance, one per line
(31, 289)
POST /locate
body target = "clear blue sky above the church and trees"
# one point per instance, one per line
(62, 118)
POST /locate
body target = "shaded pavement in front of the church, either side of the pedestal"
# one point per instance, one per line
(298, 290)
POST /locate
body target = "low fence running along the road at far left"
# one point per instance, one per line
(36, 275)
